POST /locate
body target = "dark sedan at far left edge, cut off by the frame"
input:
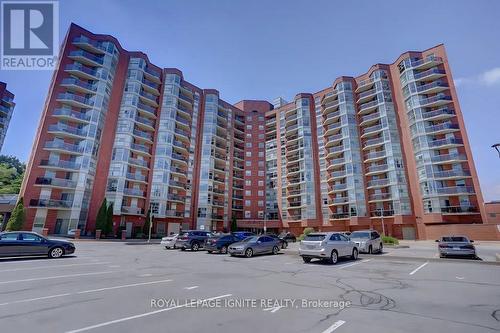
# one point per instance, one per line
(24, 243)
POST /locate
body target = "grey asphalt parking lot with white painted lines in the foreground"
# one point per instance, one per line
(114, 287)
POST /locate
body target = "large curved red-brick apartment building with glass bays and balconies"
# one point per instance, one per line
(387, 150)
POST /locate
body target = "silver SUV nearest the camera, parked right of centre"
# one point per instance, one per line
(327, 246)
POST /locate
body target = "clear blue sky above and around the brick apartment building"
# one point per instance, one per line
(263, 49)
